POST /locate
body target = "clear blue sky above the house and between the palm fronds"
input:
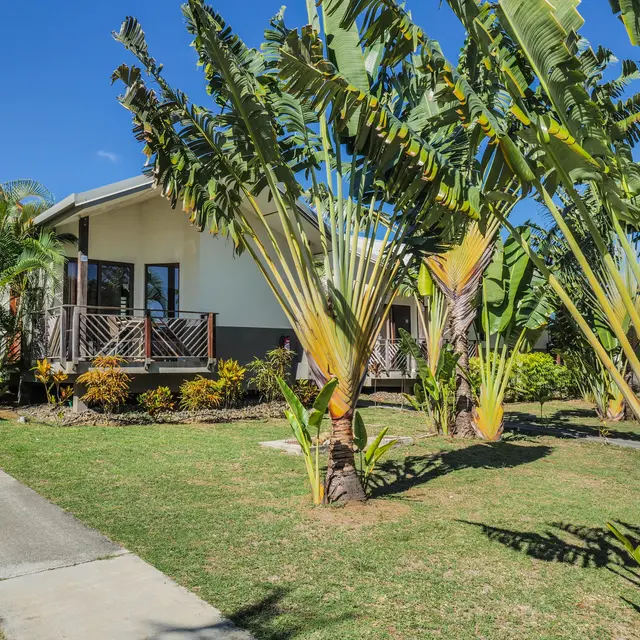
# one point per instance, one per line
(62, 123)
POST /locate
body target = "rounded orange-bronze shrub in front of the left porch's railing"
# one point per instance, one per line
(107, 384)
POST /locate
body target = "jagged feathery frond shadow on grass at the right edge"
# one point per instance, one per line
(594, 546)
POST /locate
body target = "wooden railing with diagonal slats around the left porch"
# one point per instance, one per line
(69, 333)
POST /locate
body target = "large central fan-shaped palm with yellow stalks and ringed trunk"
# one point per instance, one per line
(322, 122)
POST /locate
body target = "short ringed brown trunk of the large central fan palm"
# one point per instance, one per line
(342, 483)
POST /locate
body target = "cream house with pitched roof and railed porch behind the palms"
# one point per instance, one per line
(145, 285)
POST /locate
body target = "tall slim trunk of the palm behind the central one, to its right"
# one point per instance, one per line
(463, 427)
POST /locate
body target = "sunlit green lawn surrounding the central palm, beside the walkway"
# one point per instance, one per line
(463, 540)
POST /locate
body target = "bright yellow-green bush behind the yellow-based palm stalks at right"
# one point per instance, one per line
(535, 376)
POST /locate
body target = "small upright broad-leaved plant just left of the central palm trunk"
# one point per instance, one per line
(302, 422)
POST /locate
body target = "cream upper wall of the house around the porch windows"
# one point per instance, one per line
(211, 278)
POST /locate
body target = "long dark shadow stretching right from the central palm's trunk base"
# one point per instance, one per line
(396, 476)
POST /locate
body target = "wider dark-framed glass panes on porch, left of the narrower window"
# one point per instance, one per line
(109, 284)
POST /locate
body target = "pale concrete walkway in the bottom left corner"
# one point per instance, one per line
(62, 580)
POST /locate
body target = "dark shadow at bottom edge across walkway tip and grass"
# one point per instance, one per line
(266, 619)
